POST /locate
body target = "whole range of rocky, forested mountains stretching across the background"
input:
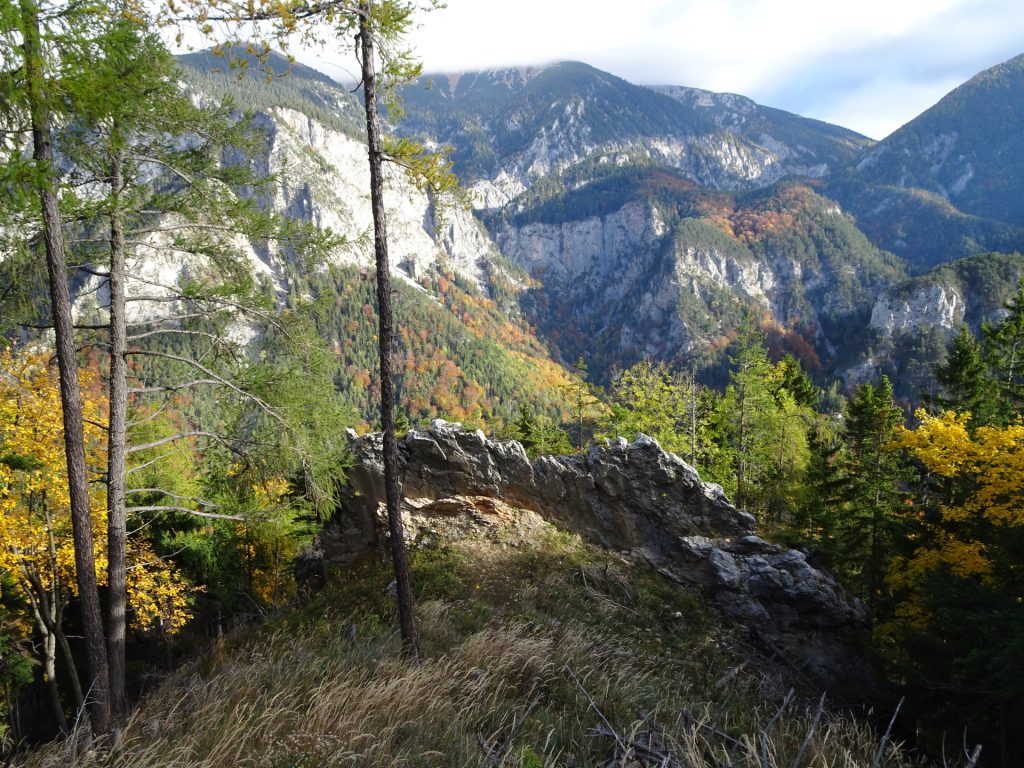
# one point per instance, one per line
(619, 222)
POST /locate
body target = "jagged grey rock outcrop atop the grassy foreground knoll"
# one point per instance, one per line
(634, 498)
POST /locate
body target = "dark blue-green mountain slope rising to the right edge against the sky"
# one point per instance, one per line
(969, 148)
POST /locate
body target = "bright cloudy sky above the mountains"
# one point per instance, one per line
(867, 65)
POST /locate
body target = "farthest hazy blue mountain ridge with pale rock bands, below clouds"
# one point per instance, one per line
(513, 127)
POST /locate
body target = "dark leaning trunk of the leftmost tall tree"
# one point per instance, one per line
(71, 397)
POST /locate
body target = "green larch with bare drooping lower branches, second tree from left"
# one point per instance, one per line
(151, 164)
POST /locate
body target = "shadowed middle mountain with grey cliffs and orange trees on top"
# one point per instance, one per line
(644, 263)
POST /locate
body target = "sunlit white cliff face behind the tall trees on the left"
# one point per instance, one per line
(321, 178)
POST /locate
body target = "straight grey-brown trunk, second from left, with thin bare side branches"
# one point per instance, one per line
(117, 440)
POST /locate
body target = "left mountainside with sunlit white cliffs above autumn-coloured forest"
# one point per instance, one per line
(463, 351)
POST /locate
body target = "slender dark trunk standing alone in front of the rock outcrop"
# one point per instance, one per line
(407, 609)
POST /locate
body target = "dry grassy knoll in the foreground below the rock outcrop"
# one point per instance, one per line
(540, 654)
